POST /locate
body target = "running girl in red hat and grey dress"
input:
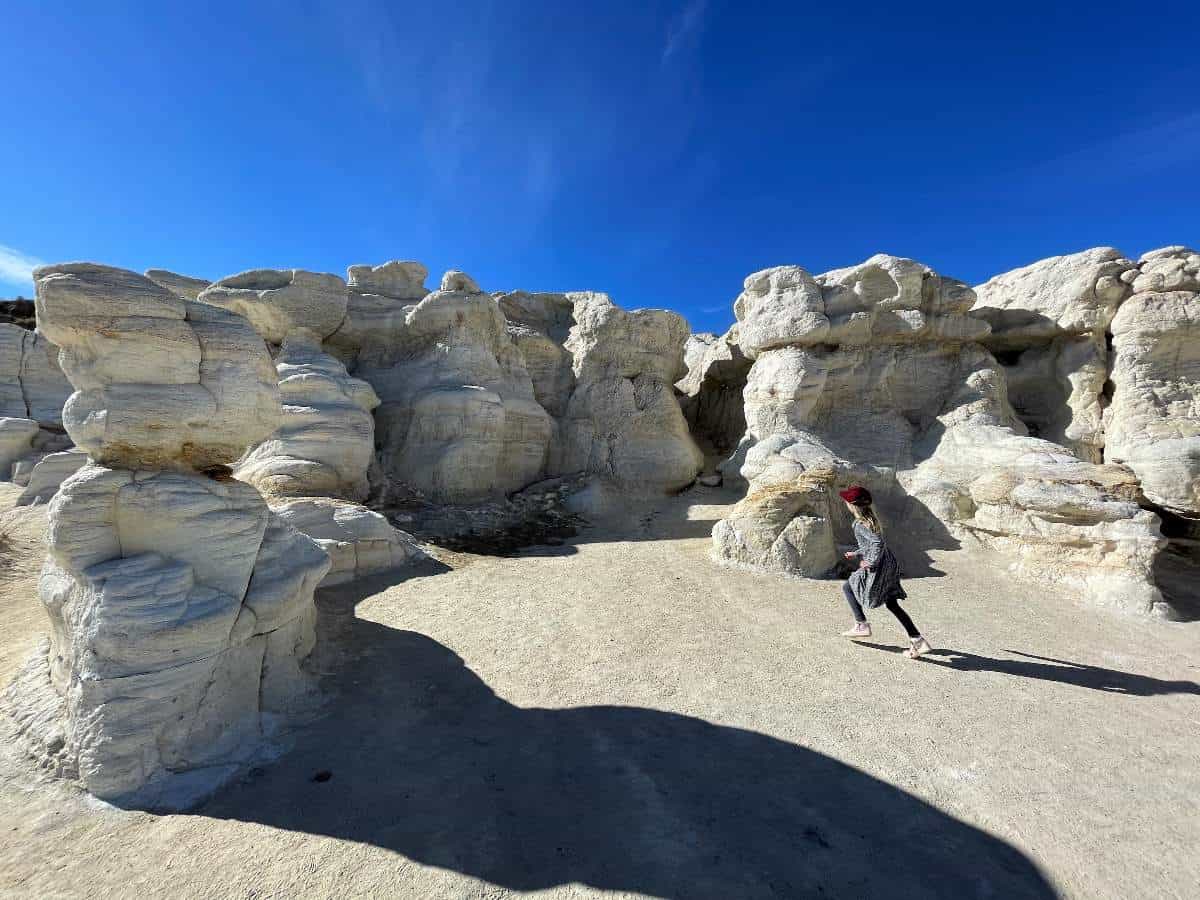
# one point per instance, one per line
(878, 580)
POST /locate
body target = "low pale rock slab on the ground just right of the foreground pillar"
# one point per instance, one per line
(359, 542)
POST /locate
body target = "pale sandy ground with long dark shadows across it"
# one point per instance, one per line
(620, 717)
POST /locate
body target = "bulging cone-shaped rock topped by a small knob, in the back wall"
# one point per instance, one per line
(459, 419)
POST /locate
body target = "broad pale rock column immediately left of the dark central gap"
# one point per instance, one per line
(623, 421)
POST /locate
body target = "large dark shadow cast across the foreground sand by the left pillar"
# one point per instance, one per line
(418, 755)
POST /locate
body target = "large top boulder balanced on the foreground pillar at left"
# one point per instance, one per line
(160, 382)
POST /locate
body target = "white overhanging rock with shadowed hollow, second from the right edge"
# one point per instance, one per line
(1048, 329)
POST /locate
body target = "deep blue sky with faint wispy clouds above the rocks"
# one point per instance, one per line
(659, 152)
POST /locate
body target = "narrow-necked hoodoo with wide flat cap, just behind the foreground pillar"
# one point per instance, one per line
(326, 441)
